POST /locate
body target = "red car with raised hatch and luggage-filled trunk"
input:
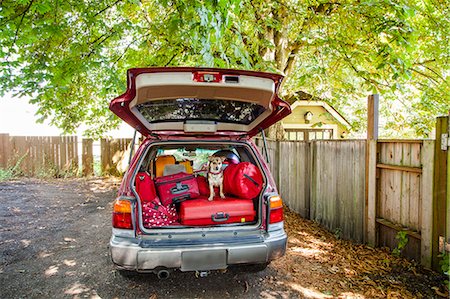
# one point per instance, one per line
(162, 218)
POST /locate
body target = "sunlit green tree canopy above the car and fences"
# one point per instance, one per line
(71, 58)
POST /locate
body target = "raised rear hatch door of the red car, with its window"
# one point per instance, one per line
(206, 101)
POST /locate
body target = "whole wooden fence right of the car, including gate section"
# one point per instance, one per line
(367, 191)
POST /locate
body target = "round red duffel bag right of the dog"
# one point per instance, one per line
(243, 180)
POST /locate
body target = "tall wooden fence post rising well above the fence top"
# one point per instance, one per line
(371, 169)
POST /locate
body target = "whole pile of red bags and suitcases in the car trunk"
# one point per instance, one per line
(182, 198)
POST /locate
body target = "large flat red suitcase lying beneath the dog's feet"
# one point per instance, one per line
(200, 211)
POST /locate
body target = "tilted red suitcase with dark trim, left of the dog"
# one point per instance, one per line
(176, 188)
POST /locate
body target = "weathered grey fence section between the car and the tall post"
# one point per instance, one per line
(323, 181)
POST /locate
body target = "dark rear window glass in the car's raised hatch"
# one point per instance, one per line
(200, 109)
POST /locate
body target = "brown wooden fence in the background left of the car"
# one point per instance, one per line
(55, 156)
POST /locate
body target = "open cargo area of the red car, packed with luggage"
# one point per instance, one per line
(173, 190)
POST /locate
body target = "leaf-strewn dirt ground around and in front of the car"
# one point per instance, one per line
(54, 237)
